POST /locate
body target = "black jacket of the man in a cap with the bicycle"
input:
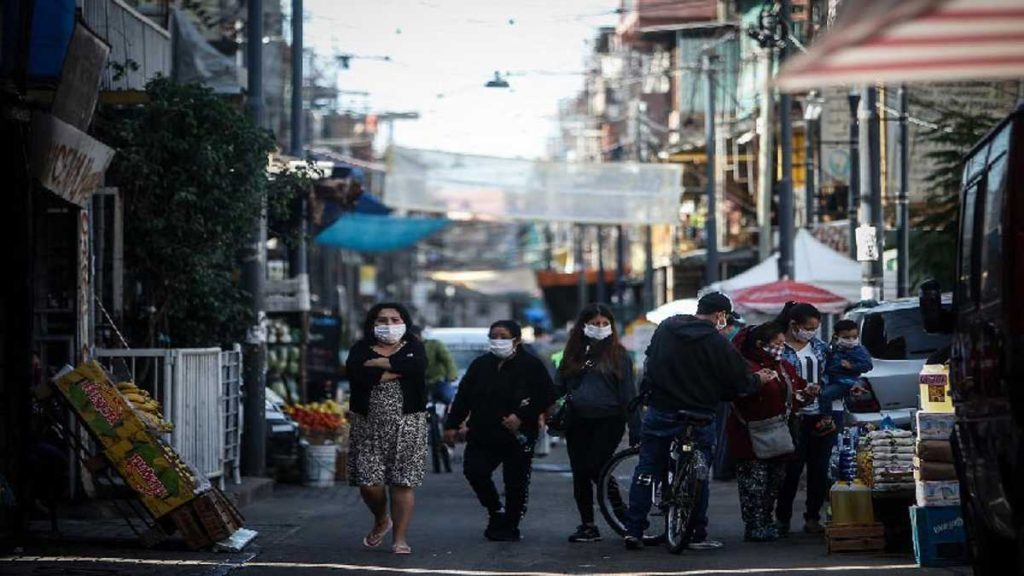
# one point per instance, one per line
(691, 366)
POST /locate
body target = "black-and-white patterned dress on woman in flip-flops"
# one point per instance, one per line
(388, 448)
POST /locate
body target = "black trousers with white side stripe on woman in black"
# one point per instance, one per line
(479, 467)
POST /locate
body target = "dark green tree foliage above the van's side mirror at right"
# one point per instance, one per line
(960, 129)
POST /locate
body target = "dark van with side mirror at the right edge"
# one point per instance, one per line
(988, 350)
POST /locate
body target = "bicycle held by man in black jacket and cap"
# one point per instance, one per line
(674, 511)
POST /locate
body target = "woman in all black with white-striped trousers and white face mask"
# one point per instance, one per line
(503, 395)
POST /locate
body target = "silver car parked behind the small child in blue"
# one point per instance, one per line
(894, 335)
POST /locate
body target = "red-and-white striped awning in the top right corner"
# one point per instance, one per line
(905, 42)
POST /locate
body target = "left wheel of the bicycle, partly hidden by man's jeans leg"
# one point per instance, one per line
(614, 497)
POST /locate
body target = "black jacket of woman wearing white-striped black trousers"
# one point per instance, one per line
(493, 389)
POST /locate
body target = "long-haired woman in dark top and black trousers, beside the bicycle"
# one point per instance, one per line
(598, 373)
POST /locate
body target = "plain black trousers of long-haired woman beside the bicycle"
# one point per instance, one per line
(591, 443)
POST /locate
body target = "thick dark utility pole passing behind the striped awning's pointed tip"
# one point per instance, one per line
(787, 229)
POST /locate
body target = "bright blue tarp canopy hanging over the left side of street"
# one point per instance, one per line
(378, 233)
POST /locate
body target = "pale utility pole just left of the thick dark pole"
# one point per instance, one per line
(766, 156)
